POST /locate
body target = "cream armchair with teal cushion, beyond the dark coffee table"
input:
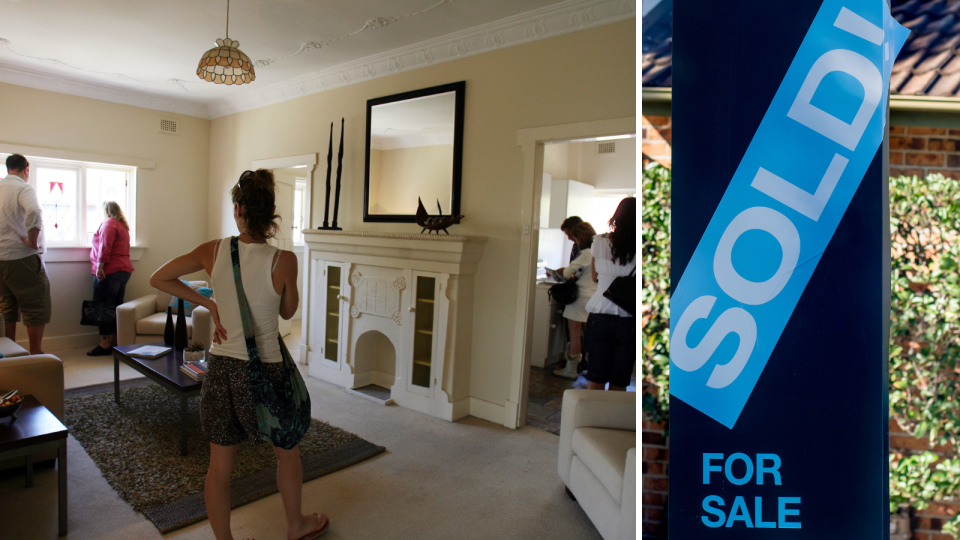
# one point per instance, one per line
(144, 319)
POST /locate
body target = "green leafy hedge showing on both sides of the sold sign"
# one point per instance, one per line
(924, 327)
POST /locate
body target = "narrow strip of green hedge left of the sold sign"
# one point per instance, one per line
(655, 294)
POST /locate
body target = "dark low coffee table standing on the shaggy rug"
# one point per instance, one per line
(163, 370)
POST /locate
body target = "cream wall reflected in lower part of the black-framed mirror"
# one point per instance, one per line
(407, 173)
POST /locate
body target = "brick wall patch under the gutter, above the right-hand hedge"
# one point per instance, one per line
(919, 151)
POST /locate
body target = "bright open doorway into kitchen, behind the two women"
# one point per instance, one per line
(583, 180)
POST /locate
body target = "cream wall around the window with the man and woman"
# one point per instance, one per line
(171, 199)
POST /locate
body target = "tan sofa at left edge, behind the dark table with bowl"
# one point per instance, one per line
(40, 375)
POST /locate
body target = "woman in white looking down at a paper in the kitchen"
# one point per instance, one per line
(576, 314)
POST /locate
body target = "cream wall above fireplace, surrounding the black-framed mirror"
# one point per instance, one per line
(567, 79)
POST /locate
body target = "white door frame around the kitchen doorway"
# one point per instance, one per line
(531, 142)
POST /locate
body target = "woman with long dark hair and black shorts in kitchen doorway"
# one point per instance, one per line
(611, 333)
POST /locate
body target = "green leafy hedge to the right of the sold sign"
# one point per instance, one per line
(925, 336)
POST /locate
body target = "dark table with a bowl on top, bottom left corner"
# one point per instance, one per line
(35, 430)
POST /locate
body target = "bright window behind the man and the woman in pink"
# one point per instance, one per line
(72, 193)
